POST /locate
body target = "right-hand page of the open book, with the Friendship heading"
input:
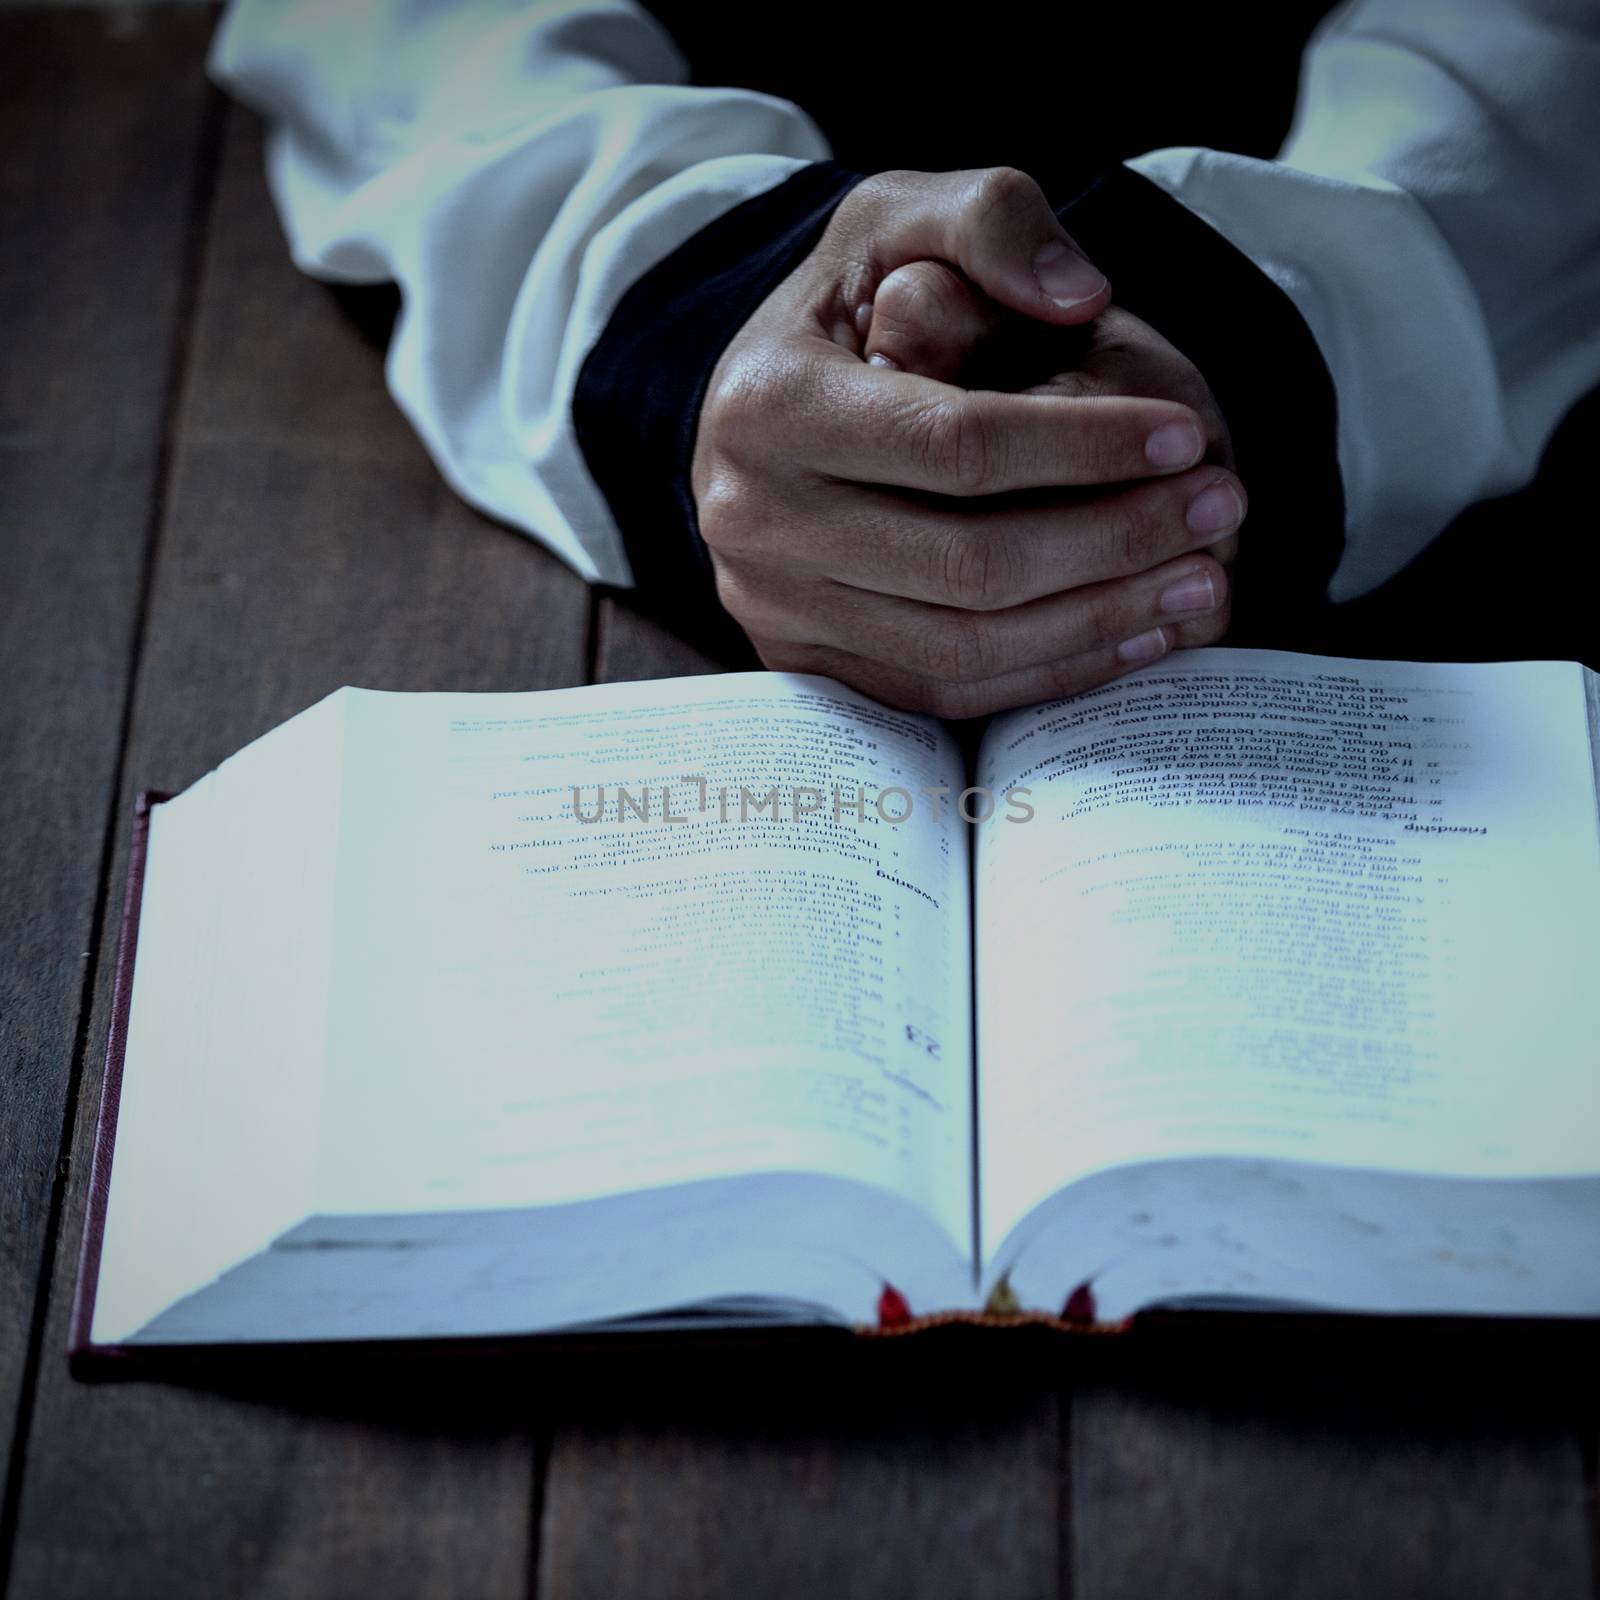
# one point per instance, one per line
(1287, 906)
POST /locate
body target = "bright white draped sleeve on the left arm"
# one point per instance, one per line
(514, 169)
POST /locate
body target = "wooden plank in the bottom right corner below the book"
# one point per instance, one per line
(1385, 1463)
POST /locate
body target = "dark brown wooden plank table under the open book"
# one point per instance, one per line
(210, 516)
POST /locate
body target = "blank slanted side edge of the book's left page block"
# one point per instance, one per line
(217, 1116)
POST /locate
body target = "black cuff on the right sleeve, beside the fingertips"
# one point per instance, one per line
(1270, 380)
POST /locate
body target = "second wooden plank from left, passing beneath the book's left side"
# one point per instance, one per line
(308, 545)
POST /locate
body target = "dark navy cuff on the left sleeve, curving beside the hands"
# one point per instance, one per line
(641, 388)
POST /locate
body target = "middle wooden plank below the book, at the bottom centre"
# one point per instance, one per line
(774, 1484)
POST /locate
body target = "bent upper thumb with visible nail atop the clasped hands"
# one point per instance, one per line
(996, 225)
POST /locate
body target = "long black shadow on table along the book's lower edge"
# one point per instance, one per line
(1298, 1370)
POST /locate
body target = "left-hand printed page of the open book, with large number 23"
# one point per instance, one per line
(546, 990)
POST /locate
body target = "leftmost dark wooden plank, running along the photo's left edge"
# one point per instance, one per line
(95, 214)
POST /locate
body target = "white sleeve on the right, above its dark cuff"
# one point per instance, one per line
(1436, 218)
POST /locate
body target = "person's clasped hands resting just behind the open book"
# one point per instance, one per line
(940, 466)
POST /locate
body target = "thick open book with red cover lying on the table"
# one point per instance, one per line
(1257, 978)
